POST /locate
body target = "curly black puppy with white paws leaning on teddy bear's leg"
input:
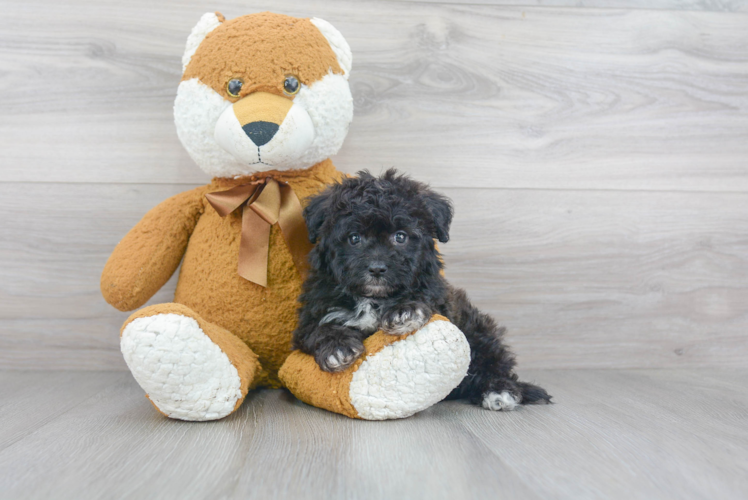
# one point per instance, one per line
(375, 266)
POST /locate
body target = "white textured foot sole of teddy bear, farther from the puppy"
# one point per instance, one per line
(183, 372)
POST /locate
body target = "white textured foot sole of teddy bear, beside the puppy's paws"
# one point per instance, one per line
(411, 374)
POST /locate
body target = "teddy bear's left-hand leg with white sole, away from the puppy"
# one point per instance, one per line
(190, 369)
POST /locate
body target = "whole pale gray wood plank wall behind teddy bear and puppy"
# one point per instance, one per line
(596, 152)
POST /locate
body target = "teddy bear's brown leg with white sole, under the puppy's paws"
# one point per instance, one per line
(397, 376)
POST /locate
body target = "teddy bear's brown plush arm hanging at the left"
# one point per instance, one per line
(149, 254)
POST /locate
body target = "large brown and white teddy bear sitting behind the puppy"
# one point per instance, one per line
(263, 102)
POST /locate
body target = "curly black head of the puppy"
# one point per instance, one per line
(375, 236)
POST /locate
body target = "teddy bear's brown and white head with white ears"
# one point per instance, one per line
(263, 91)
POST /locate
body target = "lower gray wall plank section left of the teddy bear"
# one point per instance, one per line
(52, 257)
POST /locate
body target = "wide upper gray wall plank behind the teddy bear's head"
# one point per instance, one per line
(465, 95)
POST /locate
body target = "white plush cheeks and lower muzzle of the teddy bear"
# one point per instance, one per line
(312, 130)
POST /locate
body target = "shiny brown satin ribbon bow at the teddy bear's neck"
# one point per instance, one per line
(265, 202)
